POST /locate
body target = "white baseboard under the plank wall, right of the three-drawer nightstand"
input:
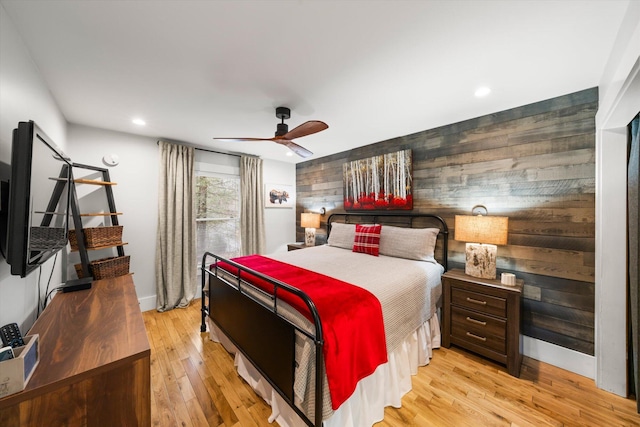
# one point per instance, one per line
(565, 358)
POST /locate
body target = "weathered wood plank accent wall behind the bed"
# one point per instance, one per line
(534, 164)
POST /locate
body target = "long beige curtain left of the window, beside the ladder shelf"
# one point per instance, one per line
(176, 240)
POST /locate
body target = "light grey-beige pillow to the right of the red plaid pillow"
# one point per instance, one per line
(409, 243)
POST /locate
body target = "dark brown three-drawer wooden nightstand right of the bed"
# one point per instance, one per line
(483, 316)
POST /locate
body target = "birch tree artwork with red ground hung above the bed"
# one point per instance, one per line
(379, 182)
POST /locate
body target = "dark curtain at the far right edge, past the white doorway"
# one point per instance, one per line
(633, 206)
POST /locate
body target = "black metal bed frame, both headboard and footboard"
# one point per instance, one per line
(255, 324)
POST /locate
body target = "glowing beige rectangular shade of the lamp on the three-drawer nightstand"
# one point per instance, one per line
(481, 229)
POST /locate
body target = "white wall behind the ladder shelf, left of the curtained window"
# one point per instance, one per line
(136, 196)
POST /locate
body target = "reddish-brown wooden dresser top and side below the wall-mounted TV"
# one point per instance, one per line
(94, 365)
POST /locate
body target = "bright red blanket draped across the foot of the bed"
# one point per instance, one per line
(352, 325)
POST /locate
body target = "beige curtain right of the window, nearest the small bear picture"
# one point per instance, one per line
(251, 206)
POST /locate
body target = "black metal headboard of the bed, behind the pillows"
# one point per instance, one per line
(408, 220)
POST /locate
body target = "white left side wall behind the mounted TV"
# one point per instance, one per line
(23, 96)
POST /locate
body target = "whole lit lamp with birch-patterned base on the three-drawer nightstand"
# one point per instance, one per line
(482, 233)
